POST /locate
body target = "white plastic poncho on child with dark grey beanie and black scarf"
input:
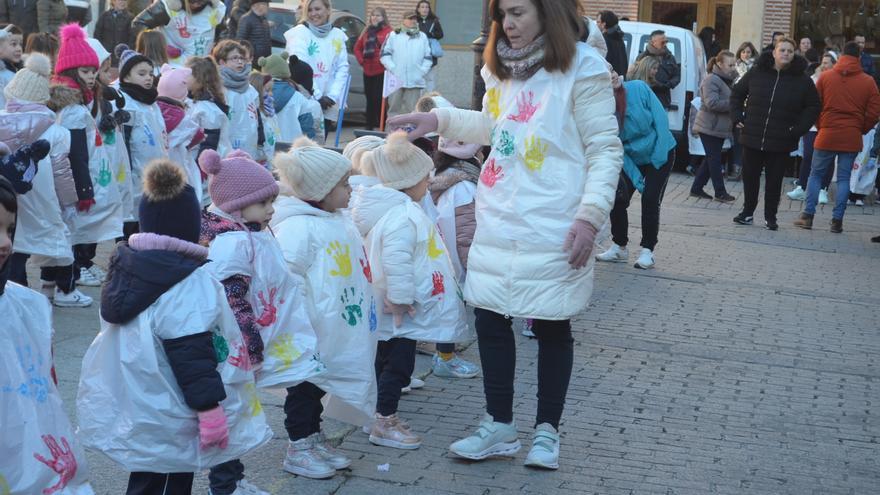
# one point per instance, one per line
(148, 141)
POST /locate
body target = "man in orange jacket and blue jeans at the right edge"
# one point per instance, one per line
(850, 108)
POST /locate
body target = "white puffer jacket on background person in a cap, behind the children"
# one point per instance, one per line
(408, 58)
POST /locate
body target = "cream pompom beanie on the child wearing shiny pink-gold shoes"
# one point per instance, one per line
(400, 164)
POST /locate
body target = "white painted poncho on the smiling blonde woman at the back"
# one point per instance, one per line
(328, 59)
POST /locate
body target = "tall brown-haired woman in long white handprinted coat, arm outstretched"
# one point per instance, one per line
(544, 191)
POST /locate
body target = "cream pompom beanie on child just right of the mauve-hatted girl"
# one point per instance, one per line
(310, 170)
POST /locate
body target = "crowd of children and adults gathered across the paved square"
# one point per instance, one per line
(237, 268)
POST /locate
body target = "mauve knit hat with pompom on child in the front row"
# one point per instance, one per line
(236, 181)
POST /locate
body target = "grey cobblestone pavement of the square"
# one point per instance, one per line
(746, 362)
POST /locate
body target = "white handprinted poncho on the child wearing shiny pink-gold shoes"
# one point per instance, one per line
(393, 225)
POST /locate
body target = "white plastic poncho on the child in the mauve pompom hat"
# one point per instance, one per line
(276, 296)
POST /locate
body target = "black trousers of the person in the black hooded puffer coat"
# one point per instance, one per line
(773, 164)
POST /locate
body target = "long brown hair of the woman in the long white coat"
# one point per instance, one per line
(562, 27)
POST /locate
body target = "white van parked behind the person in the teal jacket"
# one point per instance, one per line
(688, 52)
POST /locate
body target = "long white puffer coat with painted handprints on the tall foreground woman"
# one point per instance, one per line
(556, 158)
